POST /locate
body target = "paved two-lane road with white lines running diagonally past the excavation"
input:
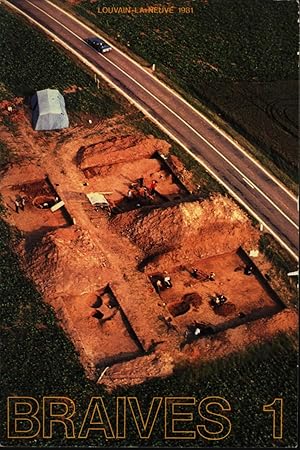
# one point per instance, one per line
(244, 178)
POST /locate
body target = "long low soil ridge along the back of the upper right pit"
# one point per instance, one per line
(119, 149)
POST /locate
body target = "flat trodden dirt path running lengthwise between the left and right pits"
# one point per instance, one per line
(133, 290)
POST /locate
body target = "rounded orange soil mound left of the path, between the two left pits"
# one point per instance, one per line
(66, 262)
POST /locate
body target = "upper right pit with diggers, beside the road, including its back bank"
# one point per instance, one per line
(115, 165)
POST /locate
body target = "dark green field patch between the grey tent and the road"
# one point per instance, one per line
(31, 62)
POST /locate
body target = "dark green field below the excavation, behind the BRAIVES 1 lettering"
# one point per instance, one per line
(37, 359)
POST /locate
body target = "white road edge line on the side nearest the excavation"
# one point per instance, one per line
(169, 133)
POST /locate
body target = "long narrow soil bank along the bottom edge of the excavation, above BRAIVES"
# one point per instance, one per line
(205, 349)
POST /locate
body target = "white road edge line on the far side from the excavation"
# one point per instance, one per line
(206, 119)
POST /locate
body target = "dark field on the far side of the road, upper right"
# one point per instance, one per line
(237, 57)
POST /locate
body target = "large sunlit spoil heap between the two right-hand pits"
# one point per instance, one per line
(207, 228)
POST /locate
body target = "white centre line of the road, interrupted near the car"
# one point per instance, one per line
(253, 185)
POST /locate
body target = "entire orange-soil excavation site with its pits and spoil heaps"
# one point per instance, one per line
(144, 272)
